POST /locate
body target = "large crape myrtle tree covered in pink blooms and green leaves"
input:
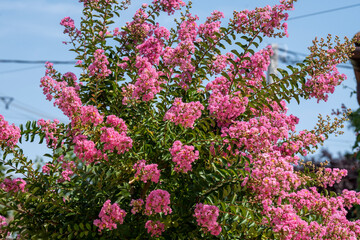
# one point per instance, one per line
(175, 134)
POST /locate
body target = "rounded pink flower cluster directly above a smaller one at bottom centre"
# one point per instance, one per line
(158, 202)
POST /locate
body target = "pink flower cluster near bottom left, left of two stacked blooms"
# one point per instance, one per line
(110, 215)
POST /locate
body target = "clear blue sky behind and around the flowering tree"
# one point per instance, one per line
(30, 30)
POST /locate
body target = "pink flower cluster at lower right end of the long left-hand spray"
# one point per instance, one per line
(114, 140)
